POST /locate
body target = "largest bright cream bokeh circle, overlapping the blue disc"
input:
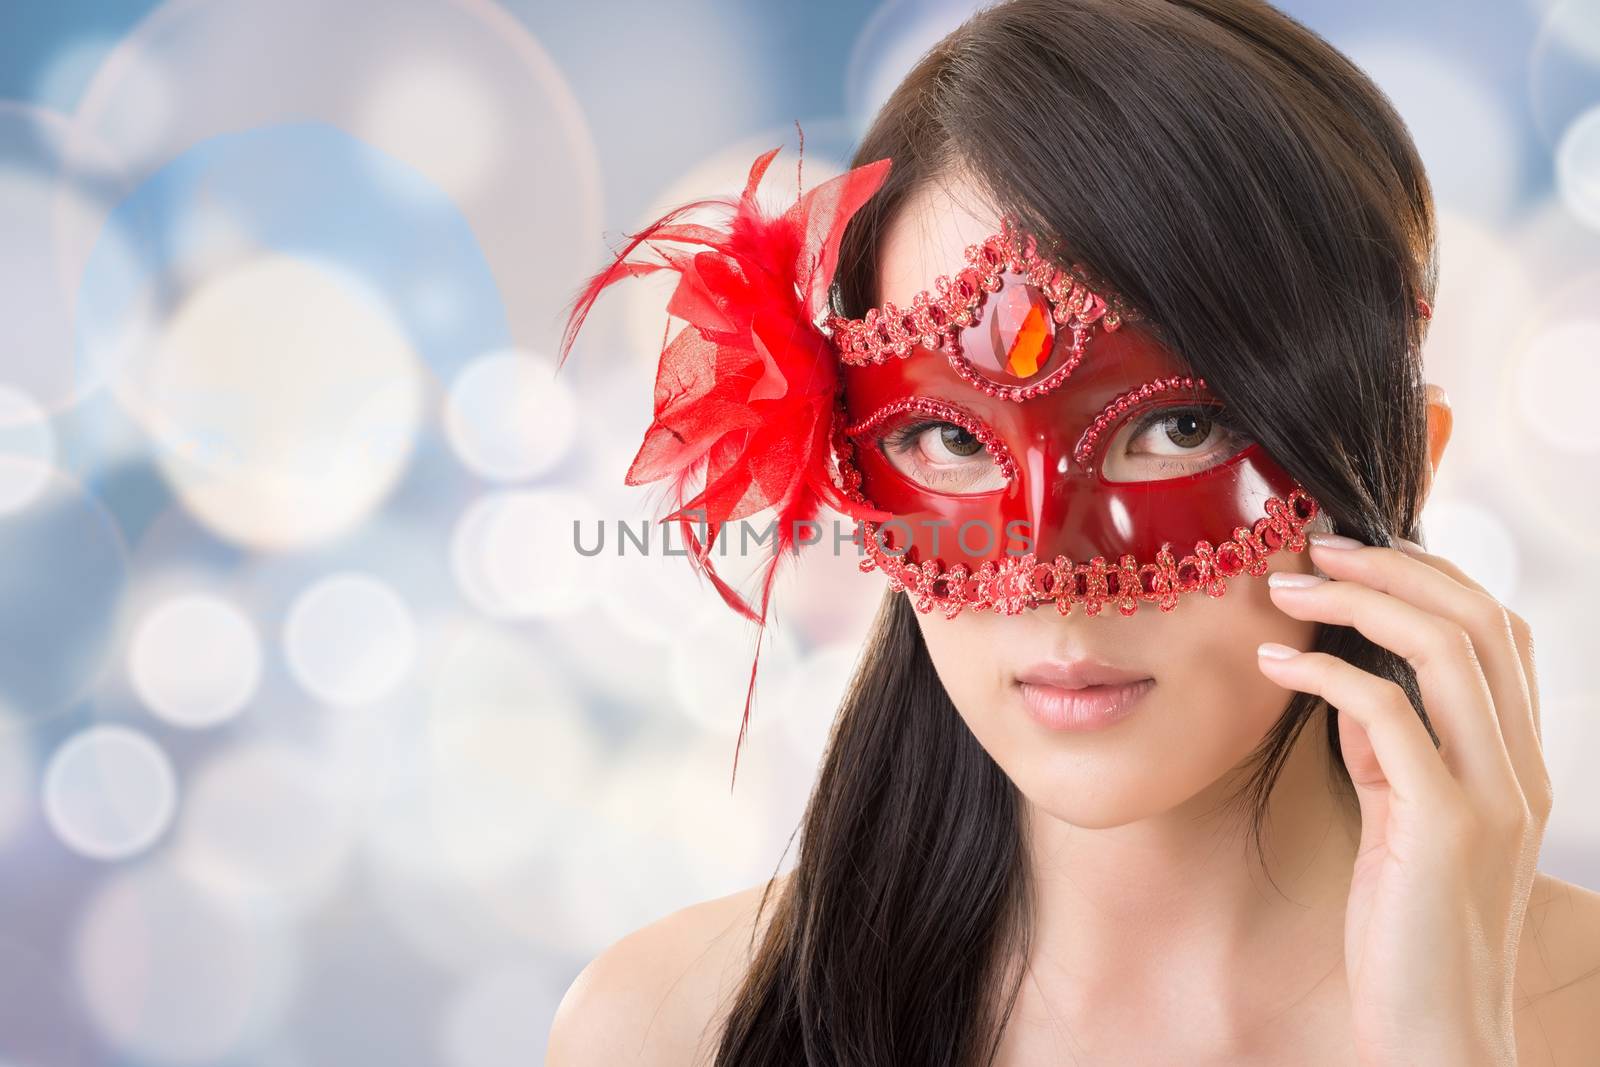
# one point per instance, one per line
(279, 431)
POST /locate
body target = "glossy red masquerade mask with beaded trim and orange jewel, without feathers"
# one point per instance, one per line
(1036, 444)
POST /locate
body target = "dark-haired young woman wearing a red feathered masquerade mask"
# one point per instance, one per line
(1081, 805)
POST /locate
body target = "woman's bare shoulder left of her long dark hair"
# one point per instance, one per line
(652, 997)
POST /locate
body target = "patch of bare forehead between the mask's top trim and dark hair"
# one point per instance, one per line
(929, 238)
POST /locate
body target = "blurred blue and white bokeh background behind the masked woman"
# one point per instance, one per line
(319, 745)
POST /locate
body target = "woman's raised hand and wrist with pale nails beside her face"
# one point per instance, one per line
(1450, 836)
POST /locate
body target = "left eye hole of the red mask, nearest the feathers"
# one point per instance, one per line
(938, 447)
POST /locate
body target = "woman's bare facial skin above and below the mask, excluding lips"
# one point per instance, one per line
(1207, 705)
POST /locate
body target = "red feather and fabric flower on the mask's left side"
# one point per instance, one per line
(745, 393)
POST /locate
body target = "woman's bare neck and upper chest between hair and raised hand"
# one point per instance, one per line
(1177, 909)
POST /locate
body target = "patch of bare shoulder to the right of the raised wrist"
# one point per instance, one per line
(1559, 977)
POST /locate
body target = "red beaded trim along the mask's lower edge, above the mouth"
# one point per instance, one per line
(1026, 581)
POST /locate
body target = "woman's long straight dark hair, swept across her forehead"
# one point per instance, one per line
(1260, 199)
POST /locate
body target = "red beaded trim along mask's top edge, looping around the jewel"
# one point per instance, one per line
(935, 319)
